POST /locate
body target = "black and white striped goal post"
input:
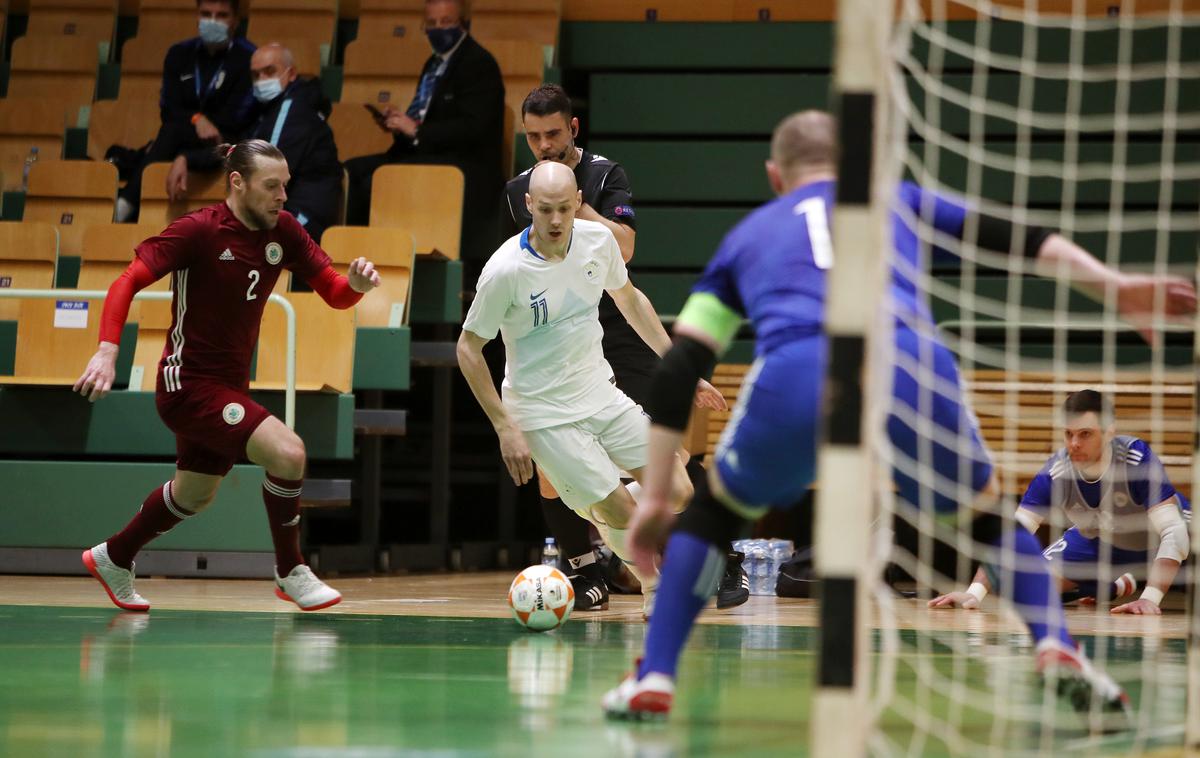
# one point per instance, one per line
(842, 719)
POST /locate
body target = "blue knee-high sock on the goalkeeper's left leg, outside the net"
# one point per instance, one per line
(692, 570)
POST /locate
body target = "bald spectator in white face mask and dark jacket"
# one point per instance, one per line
(292, 116)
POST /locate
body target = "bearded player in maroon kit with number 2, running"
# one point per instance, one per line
(225, 261)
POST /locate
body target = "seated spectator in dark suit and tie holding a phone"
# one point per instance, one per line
(457, 117)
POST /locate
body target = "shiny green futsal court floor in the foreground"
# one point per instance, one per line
(86, 682)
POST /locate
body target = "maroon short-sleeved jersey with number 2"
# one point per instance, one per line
(224, 274)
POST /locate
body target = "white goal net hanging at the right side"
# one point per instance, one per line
(1084, 118)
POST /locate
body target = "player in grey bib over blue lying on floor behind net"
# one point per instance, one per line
(1115, 492)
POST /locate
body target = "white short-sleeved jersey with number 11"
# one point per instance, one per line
(555, 370)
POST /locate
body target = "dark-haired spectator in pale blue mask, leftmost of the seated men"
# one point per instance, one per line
(206, 98)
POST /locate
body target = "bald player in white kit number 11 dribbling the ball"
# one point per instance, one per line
(541, 291)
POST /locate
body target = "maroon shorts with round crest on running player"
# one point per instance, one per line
(212, 423)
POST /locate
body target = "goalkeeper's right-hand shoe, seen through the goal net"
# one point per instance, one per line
(1079, 683)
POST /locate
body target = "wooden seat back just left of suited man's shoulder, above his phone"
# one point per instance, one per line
(383, 71)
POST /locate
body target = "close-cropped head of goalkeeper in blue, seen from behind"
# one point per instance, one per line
(803, 148)
